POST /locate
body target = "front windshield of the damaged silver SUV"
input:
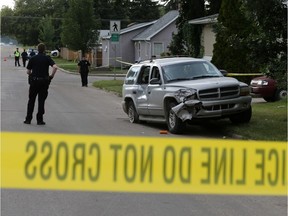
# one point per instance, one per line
(189, 71)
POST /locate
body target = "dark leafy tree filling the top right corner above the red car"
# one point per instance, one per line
(268, 38)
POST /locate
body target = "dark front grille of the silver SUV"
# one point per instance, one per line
(219, 93)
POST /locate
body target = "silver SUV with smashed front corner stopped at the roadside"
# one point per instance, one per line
(179, 90)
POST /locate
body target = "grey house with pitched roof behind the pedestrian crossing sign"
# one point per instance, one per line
(140, 41)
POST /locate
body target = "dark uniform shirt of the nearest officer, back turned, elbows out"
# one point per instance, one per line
(39, 64)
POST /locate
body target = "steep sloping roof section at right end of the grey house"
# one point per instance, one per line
(158, 26)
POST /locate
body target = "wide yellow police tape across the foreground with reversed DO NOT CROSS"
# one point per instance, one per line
(143, 164)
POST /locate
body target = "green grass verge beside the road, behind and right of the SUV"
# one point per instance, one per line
(268, 122)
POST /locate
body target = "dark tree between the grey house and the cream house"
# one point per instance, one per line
(188, 38)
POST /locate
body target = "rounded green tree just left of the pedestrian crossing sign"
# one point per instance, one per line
(80, 28)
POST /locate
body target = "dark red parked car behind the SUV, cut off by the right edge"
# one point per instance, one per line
(267, 88)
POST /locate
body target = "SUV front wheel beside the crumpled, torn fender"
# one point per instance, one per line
(175, 124)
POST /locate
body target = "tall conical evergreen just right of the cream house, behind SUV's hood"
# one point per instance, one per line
(230, 50)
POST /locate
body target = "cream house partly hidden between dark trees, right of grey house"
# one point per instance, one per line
(208, 37)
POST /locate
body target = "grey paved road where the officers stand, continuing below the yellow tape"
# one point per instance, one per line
(74, 109)
